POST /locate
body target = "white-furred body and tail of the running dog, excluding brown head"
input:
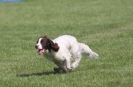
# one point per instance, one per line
(71, 50)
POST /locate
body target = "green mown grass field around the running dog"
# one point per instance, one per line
(105, 25)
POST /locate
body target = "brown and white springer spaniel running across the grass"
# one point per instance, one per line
(66, 51)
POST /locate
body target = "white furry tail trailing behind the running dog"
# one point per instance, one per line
(86, 50)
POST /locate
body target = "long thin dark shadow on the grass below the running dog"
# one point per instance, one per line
(36, 74)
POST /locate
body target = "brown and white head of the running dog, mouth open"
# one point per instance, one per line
(43, 44)
